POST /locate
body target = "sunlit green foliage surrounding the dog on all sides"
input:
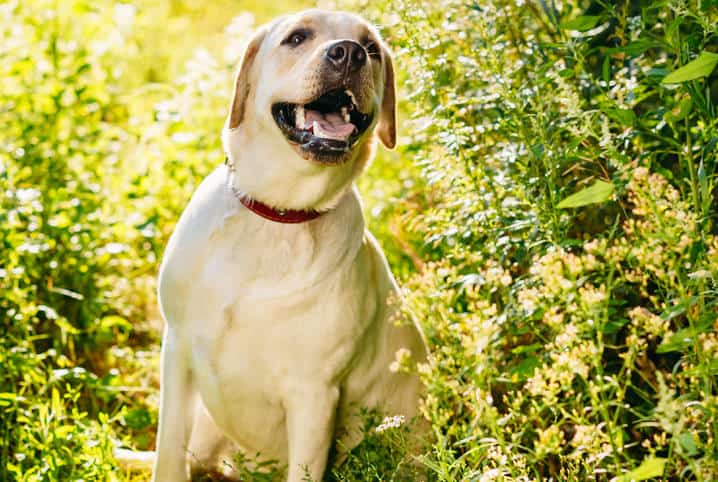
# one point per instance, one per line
(551, 214)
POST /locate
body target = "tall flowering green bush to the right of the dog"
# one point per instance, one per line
(568, 219)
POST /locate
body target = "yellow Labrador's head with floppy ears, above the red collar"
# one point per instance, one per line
(313, 92)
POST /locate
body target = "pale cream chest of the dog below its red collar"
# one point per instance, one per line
(277, 308)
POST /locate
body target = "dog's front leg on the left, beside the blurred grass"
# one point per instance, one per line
(175, 419)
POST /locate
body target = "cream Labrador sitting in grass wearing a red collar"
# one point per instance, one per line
(277, 300)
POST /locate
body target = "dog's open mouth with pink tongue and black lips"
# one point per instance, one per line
(329, 125)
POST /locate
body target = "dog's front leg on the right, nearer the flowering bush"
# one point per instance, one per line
(310, 423)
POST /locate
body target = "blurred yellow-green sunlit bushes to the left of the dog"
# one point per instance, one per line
(97, 162)
